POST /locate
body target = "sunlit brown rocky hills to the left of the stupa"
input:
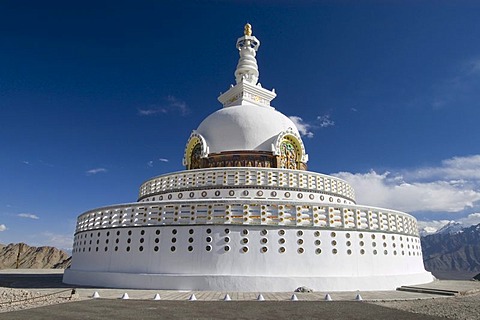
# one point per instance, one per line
(31, 257)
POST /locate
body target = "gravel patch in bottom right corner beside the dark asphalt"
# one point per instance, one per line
(459, 307)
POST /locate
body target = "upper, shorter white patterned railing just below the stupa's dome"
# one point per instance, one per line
(247, 177)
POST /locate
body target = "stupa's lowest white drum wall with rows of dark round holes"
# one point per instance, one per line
(246, 258)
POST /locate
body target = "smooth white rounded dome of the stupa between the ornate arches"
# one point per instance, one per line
(244, 128)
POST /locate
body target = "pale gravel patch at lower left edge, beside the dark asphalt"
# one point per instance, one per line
(19, 299)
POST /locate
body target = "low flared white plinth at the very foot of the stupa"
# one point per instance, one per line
(241, 283)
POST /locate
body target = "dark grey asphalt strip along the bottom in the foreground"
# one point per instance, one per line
(130, 309)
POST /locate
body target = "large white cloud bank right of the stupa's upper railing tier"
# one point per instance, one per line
(451, 187)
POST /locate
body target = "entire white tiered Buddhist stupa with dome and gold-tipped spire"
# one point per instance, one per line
(246, 215)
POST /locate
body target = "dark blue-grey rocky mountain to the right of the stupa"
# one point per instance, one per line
(457, 251)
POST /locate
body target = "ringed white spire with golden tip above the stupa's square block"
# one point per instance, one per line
(247, 68)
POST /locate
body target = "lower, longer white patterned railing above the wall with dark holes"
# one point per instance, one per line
(253, 212)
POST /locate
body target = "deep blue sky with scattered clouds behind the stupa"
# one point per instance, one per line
(96, 97)
